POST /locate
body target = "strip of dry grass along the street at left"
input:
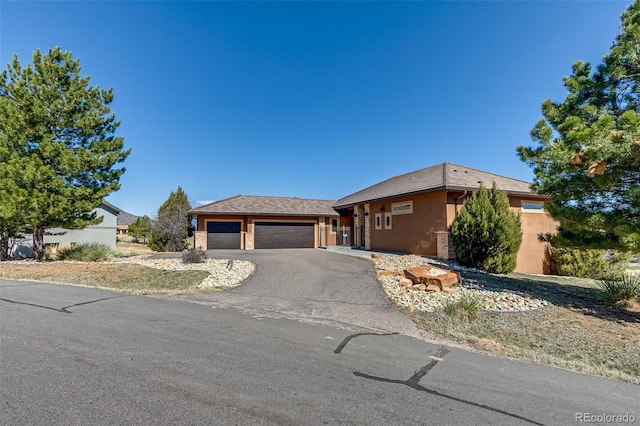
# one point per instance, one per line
(125, 278)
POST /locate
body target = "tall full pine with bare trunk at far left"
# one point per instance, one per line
(58, 150)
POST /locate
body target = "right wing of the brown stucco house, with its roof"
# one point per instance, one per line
(412, 213)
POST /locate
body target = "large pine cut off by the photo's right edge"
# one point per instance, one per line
(588, 153)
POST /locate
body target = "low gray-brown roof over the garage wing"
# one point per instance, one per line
(271, 206)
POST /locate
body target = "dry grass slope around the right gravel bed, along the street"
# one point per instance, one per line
(576, 332)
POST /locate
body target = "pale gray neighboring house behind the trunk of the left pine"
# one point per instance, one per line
(104, 233)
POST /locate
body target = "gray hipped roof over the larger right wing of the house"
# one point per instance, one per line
(445, 176)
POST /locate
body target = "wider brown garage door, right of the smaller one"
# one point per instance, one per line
(283, 235)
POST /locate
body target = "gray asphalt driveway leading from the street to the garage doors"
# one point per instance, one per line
(313, 286)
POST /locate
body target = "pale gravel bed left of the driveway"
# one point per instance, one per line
(223, 273)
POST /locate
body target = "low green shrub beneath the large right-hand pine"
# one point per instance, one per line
(586, 263)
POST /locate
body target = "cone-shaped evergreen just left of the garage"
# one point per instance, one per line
(171, 229)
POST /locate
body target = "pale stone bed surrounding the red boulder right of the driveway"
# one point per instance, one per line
(389, 268)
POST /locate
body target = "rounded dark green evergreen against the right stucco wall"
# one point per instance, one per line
(486, 234)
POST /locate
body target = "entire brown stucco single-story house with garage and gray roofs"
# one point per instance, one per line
(410, 213)
